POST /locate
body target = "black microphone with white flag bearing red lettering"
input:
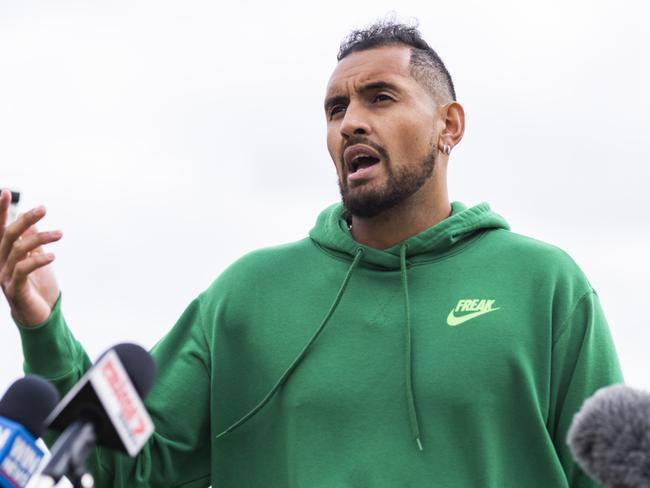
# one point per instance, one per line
(104, 408)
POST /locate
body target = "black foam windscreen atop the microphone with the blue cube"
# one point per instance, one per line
(28, 401)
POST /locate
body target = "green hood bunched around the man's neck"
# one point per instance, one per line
(332, 234)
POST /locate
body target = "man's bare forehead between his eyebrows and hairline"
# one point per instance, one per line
(390, 63)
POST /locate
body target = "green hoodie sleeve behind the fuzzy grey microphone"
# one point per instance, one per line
(584, 360)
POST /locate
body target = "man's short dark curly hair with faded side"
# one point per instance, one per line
(426, 66)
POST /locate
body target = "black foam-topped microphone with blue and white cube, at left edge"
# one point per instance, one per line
(23, 410)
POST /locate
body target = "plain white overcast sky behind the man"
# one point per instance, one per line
(169, 138)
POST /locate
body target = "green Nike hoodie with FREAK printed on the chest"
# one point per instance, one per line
(456, 358)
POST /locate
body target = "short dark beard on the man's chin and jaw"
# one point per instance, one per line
(400, 185)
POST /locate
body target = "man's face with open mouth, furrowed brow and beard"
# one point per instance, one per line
(381, 130)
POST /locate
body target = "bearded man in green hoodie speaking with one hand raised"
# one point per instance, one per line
(407, 342)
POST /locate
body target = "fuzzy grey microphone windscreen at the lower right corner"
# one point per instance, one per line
(610, 437)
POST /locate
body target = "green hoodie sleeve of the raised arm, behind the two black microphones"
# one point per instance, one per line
(178, 453)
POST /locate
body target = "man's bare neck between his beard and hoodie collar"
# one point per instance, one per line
(398, 223)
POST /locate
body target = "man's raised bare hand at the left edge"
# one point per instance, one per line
(26, 277)
